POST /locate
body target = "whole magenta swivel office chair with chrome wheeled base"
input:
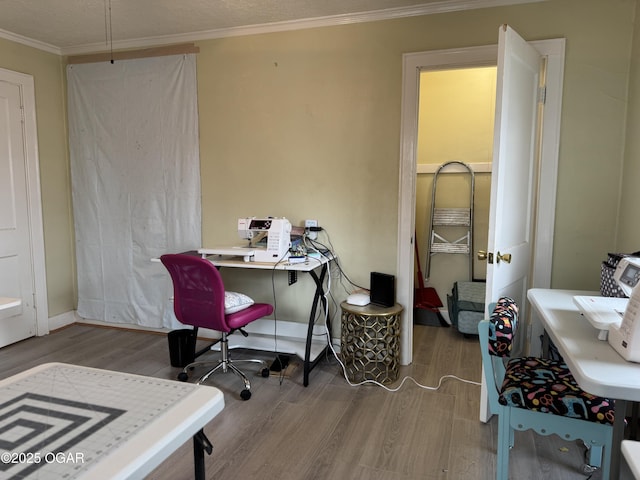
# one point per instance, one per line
(199, 300)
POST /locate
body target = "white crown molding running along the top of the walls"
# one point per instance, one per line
(442, 6)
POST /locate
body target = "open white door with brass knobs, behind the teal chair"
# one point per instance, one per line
(514, 176)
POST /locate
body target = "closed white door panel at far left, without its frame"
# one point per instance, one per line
(16, 260)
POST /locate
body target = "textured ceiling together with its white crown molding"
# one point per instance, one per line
(82, 26)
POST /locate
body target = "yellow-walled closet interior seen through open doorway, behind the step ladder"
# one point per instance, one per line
(455, 123)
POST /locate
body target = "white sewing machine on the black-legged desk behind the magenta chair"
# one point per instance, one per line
(278, 237)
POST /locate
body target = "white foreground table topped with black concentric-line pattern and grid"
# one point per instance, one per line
(66, 421)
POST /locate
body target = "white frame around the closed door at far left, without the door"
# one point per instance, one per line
(25, 83)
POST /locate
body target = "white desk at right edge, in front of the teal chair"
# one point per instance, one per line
(596, 366)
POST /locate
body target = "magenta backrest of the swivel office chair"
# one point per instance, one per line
(198, 291)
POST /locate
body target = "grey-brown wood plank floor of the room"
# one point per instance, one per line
(328, 430)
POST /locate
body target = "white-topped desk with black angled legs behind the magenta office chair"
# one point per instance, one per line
(317, 269)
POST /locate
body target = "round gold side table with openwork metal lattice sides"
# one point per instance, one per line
(370, 342)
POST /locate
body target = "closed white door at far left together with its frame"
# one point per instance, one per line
(22, 276)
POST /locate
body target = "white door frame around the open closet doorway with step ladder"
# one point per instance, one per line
(413, 64)
